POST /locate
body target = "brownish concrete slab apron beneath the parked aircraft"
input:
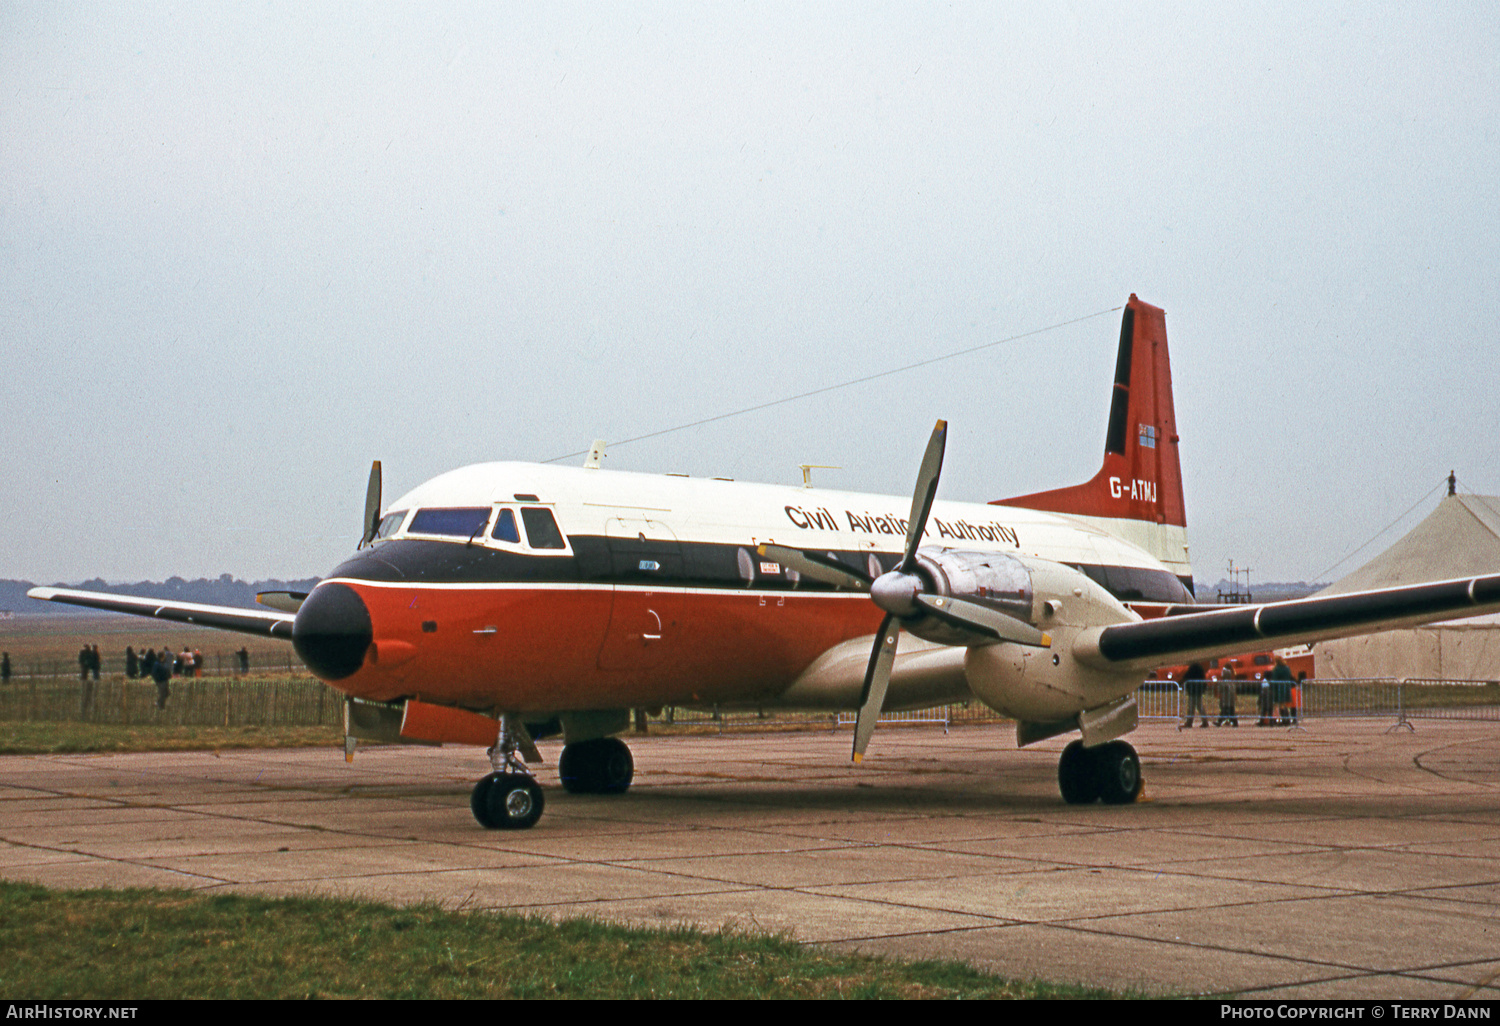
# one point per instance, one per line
(1339, 862)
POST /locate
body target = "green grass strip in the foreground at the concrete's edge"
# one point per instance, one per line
(145, 944)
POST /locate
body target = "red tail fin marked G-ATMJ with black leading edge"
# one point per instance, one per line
(1141, 478)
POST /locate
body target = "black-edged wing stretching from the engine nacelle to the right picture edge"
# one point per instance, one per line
(1225, 632)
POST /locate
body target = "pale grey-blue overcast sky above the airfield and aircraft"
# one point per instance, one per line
(247, 250)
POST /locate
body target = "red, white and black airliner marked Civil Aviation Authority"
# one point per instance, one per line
(502, 602)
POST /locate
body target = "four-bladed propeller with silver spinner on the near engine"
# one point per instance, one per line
(902, 595)
